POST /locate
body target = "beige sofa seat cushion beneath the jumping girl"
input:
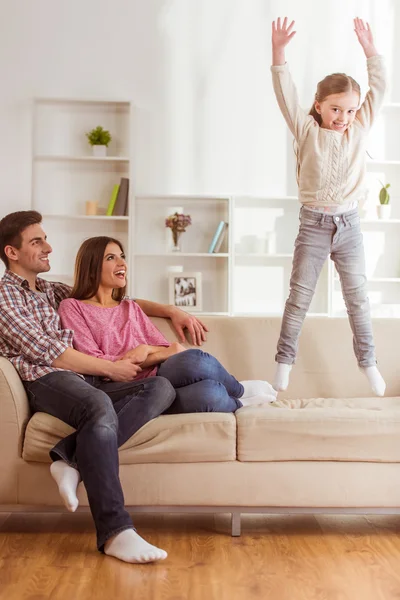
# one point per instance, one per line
(356, 429)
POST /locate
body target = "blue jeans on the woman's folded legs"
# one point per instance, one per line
(201, 383)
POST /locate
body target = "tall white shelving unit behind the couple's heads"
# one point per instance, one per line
(65, 175)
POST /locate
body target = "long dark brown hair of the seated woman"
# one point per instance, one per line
(88, 266)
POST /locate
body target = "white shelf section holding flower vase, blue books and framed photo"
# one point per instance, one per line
(153, 259)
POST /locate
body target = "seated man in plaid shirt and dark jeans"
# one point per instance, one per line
(99, 398)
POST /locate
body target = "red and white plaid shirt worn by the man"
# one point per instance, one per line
(30, 332)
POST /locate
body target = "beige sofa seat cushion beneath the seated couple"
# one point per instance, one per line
(197, 437)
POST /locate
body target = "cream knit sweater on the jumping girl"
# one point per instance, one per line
(331, 165)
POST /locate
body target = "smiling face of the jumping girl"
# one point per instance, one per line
(338, 111)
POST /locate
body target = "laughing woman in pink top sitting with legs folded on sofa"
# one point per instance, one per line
(109, 325)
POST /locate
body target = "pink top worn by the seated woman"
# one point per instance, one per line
(109, 333)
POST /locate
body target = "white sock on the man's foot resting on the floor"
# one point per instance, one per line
(130, 547)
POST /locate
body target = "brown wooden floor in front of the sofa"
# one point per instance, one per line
(276, 558)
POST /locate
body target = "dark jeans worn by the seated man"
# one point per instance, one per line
(105, 415)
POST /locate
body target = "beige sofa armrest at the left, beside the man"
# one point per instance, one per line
(14, 410)
